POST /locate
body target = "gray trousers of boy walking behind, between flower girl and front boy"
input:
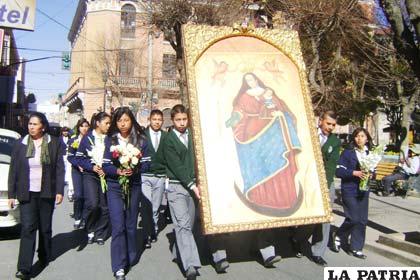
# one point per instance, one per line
(152, 192)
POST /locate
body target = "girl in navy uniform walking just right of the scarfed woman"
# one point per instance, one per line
(79, 209)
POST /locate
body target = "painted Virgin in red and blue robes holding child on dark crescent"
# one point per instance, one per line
(267, 144)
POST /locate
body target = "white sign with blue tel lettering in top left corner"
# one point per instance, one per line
(18, 14)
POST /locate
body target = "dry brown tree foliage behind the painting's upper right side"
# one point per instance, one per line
(346, 56)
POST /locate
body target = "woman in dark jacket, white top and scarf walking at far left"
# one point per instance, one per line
(36, 180)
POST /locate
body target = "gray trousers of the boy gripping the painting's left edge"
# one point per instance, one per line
(182, 208)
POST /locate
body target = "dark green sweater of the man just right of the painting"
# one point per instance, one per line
(330, 155)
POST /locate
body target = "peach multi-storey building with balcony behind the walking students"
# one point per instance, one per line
(118, 59)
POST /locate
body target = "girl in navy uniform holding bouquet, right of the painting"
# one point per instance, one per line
(355, 201)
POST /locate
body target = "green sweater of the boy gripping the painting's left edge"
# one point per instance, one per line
(179, 160)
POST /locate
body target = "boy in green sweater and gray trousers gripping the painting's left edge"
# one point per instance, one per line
(183, 193)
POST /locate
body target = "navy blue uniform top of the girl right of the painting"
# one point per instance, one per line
(348, 163)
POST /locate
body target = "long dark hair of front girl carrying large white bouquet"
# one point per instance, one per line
(137, 135)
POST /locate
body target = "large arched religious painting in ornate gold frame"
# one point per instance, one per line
(259, 163)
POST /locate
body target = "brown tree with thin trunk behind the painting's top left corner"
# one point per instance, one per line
(170, 15)
